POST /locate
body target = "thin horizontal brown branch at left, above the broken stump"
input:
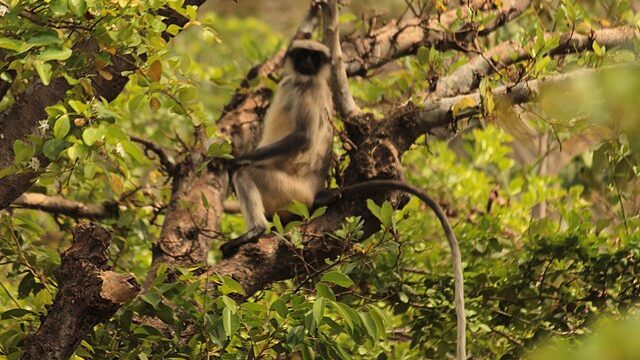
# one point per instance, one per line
(60, 205)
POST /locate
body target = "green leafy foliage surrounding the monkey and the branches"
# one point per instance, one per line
(546, 254)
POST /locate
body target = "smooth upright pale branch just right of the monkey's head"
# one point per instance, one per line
(342, 98)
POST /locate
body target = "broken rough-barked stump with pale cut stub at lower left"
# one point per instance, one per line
(89, 293)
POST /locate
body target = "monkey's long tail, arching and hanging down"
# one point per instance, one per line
(366, 186)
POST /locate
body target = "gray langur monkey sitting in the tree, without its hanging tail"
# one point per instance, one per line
(293, 156)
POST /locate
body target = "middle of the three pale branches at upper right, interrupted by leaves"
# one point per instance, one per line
(468, 76)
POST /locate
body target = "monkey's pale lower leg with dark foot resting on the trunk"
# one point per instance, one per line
(252, 209)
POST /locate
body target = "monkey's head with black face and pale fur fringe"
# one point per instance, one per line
(308, 57)
